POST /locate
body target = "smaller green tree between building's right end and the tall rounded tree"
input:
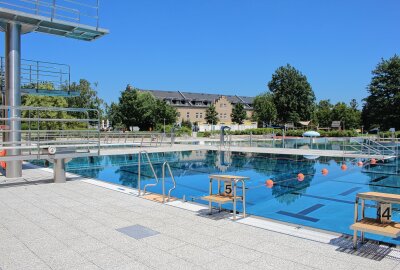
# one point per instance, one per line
(264, 108)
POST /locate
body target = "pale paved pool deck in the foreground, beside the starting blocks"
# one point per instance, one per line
(74, 226)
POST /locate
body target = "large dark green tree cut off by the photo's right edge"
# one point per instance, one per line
(382, 106)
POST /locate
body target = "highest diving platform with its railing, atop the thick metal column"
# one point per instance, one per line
(69, 19)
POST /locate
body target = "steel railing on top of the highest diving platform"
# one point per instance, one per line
(82, 12)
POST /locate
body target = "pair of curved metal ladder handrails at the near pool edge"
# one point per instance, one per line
(165, 165)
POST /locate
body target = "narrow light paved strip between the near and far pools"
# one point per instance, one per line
(279, 151)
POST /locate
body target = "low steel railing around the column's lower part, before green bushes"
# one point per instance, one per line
(41, 128)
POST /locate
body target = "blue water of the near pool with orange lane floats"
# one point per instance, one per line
(324, 202)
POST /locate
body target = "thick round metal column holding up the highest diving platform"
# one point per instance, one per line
(13, 95)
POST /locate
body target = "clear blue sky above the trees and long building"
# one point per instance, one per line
(229, 46)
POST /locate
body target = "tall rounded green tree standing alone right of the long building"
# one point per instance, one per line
(293, 96)
